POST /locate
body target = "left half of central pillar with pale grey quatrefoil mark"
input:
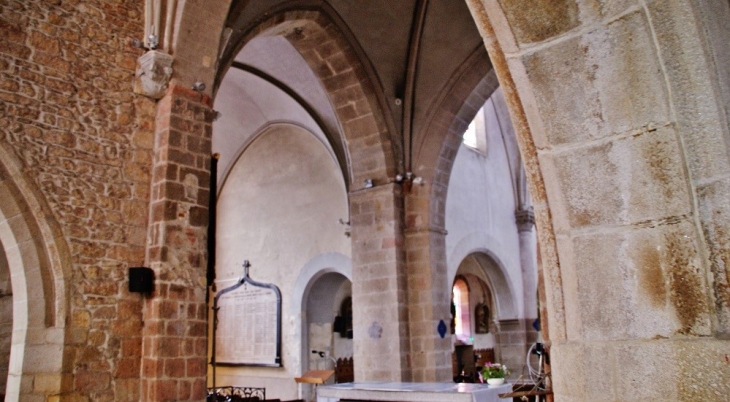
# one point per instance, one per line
(380, 316)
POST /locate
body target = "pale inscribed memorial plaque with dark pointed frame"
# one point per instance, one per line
(248, 324)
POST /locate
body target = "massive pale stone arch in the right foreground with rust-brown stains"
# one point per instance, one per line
(628, 149)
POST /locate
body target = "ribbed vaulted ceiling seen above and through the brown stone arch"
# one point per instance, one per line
(412, 49)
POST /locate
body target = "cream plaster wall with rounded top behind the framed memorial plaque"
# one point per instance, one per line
(279, 208)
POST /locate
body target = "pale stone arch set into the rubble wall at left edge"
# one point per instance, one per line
(36, 256)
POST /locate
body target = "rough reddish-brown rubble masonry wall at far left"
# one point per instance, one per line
(68, 112)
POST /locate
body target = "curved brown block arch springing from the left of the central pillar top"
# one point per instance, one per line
(347, 77)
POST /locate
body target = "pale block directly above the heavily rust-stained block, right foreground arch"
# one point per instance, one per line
(629, 180)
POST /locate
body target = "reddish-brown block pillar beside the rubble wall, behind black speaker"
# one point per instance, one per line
(174, 348)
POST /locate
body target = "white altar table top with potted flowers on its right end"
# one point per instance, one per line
(411, 392)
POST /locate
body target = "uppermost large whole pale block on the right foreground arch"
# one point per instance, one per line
(606, 81)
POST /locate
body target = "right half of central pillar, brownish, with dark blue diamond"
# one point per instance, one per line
(428, 290)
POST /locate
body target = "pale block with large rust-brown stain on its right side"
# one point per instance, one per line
(661, 268)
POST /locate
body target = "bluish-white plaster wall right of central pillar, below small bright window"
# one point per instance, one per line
(480, 208)
